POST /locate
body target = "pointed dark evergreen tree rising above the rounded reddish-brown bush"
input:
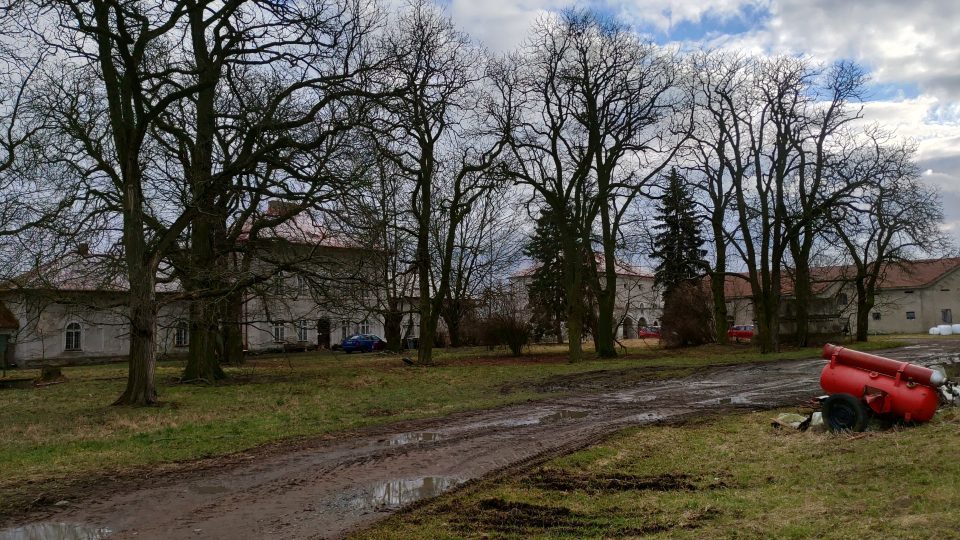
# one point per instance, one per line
(678, 240)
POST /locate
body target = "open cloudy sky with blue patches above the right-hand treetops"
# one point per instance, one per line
(911, 49)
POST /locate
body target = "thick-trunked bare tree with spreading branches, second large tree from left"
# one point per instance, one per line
(279, 87)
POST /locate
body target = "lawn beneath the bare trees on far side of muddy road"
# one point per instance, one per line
(57, 436)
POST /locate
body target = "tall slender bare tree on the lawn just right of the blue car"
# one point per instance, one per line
(444, 133)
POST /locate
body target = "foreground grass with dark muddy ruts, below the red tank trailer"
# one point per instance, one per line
(722, 477)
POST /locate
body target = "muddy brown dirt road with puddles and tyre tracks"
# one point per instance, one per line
(329, 489)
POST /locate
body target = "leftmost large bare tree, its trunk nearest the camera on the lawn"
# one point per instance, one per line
(107, 87)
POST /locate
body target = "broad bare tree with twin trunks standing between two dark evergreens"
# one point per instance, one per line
(601, 122)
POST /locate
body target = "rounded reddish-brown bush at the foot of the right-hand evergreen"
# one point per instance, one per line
(687, 316)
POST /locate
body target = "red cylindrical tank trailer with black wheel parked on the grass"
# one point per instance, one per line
(857, 381)
